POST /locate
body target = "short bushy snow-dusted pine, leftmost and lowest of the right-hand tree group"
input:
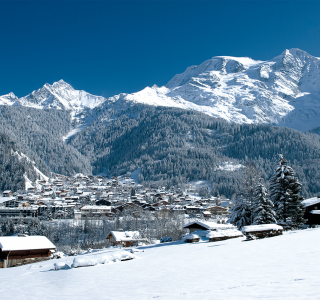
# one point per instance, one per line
(241, 213)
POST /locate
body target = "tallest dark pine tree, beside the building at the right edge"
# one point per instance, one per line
(284, 193)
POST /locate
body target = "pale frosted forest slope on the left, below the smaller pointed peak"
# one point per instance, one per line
(39, 134)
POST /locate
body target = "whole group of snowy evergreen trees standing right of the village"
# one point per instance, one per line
(282, 205)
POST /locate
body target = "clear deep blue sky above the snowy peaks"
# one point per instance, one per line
(108, 47)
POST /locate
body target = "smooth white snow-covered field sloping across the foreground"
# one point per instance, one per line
(282, 267)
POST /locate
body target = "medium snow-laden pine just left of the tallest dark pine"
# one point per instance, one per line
(262, 207)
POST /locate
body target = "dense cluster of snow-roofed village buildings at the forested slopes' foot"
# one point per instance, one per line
(82, 197)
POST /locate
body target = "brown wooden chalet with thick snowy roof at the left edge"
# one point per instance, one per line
(23, 248)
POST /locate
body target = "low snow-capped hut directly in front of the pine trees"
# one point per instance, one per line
(261, 231)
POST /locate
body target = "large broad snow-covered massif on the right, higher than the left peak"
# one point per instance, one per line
(283, 91)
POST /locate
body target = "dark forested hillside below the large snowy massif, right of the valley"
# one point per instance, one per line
(178, 146)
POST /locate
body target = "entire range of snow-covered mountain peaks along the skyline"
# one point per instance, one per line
(283, 91)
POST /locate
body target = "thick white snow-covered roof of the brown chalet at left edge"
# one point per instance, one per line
(15, 243)
